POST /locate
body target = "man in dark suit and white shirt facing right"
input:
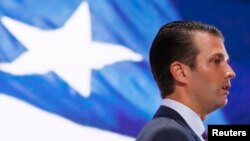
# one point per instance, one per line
(190, 65)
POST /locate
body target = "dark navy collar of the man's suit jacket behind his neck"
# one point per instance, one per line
(164, 111)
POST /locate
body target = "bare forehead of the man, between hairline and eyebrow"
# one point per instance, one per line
(209, 44)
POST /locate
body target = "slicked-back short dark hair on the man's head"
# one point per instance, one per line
(174, 42)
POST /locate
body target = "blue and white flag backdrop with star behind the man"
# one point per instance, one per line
(79, 70)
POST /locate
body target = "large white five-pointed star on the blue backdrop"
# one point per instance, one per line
(68, 51)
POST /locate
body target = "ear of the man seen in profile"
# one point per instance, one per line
(179, 71)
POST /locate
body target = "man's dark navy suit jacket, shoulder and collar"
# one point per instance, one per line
(167, 125)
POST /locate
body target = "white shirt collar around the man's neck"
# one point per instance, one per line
(192, 119)
